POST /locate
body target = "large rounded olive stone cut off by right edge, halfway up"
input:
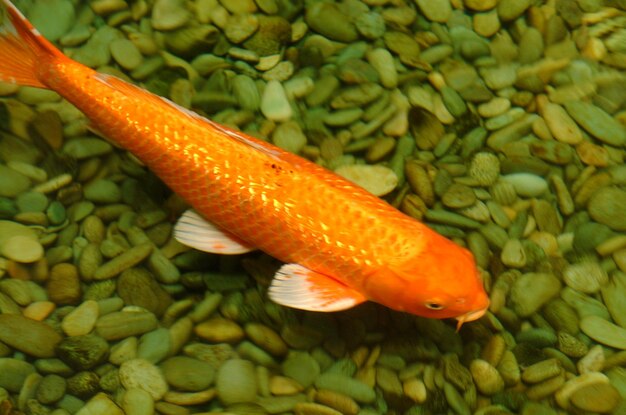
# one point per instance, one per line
(606, 206)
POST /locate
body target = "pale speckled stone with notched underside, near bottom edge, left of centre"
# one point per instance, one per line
(139, 373)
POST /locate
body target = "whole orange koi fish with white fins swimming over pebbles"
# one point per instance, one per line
(340, 244)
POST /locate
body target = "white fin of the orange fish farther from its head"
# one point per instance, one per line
(195, 231)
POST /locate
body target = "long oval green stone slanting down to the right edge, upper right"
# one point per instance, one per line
(597, 122)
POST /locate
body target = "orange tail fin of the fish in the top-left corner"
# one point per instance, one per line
(22, 48)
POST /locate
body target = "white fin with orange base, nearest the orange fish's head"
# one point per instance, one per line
(299, 287)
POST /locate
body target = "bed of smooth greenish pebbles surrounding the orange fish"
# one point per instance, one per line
(500, 123)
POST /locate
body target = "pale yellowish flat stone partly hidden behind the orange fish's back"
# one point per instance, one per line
(376, 179)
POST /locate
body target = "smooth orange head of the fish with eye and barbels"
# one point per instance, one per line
(441, 280)
